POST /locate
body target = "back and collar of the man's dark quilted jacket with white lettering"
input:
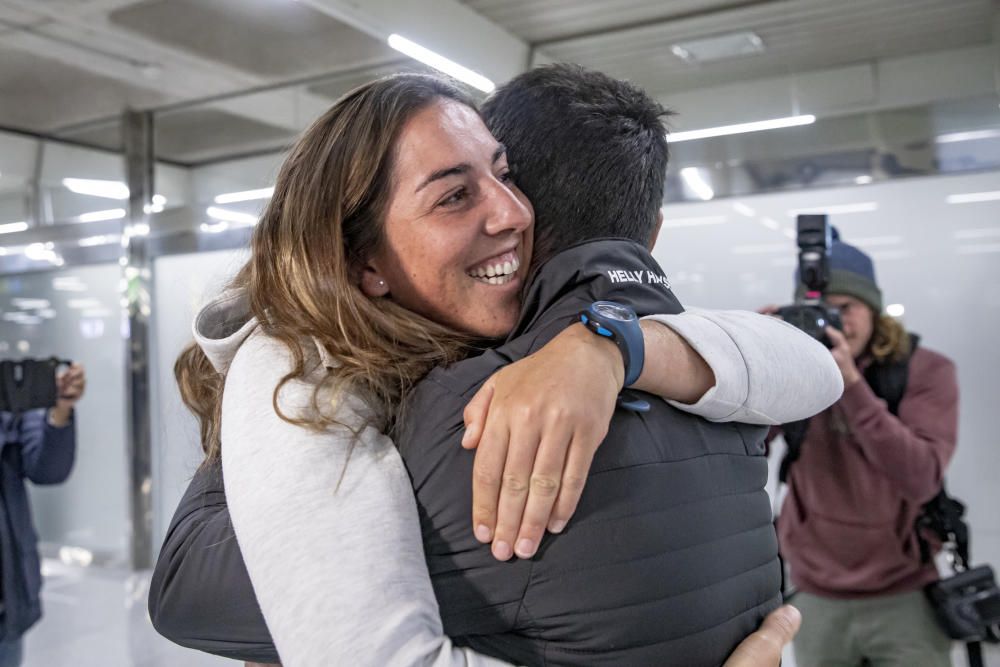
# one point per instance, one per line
(671, 557)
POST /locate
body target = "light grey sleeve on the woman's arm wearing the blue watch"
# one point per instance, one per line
(766, 370)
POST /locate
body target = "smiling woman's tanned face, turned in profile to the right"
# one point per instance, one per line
(457, 230)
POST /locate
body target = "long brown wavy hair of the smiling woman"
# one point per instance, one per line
(323, 222)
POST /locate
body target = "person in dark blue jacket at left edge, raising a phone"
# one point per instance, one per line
(38, 445)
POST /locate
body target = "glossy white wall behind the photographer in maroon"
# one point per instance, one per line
(940, 260)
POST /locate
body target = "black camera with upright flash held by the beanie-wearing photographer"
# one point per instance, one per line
(810, 313)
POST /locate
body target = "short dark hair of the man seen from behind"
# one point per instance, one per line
(589, 151)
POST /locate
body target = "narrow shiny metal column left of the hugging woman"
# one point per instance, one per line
(137, 131)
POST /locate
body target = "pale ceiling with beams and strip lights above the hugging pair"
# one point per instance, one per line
(65, 64)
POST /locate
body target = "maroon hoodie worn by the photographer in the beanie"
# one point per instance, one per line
(847, 524)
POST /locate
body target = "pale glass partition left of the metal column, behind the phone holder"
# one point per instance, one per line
(74, 314)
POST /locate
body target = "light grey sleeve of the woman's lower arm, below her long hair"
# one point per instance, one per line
(328, 527)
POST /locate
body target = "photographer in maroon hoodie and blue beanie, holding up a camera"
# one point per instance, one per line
(864, 467)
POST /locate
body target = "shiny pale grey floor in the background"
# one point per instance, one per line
(97, 618)
